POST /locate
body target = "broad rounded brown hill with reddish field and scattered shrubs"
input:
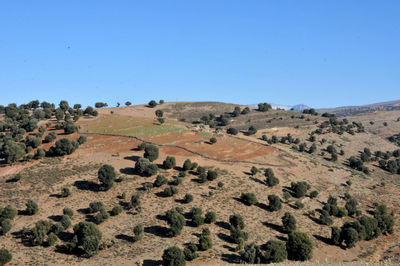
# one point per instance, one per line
(237, 147)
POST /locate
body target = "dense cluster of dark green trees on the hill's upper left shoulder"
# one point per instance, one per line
(20, 120)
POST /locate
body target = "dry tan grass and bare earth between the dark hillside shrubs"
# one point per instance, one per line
(43, 182)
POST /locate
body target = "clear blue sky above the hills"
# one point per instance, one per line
(320, 53)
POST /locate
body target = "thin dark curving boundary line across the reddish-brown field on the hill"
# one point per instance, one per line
(287, 164)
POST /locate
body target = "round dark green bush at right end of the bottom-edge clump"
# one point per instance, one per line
(299, 246)
